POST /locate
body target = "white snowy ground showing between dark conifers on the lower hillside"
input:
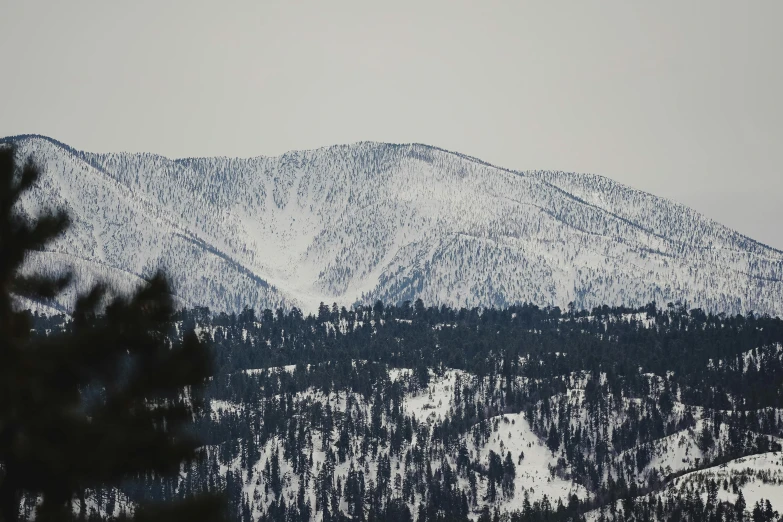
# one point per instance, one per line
(538, 473)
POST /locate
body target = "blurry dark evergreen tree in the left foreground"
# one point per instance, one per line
(109, 399)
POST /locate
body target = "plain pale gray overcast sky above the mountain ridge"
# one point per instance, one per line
(681, 99)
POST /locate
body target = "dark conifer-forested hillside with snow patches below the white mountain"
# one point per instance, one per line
(522, 413)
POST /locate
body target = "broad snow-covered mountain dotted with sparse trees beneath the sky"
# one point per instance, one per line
(393, 222)
